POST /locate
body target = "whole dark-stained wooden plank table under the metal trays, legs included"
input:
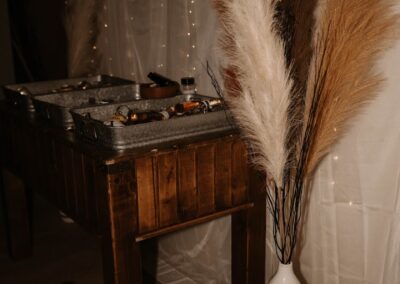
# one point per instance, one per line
(127, 197)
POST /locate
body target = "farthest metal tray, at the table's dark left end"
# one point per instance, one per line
(24, 102)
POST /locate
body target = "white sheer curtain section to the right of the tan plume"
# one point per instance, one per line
(352, 233)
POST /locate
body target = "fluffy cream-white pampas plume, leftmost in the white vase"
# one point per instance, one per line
(257, 58)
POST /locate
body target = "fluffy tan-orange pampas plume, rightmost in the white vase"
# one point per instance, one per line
(350, 36)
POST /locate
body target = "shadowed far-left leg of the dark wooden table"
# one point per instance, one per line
(16, 213)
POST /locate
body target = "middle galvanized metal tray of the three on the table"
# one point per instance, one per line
(56, 107)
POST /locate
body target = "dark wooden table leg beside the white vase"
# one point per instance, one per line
(248, 237)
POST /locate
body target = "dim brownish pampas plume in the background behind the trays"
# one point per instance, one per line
(81, 31)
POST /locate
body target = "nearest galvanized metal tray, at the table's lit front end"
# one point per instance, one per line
(89, 125)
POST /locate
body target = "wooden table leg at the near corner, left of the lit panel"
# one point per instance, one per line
(121, 253)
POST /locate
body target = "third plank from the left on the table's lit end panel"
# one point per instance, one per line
(187, 189)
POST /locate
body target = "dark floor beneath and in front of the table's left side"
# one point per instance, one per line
(62, 253)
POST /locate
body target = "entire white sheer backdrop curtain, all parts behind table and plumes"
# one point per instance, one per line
(352, 229)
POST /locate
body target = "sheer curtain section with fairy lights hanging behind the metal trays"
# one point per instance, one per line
(172, 37)
